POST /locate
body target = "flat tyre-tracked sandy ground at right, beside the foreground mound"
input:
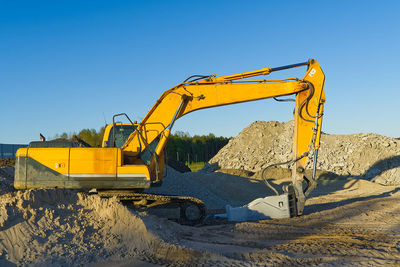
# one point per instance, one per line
(347, 222)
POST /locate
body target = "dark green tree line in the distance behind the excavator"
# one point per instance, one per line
(180, 146)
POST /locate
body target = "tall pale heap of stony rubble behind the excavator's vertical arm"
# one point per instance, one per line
(367, 155)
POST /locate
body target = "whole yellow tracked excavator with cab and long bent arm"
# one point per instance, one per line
(132, 155)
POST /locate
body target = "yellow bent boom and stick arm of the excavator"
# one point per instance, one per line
(148, 141)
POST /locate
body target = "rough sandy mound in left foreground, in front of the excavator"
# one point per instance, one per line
(56, 223)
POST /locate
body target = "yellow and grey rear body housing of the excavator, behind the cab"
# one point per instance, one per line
(78, 168)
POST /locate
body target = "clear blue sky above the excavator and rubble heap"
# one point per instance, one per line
(63, 64)
